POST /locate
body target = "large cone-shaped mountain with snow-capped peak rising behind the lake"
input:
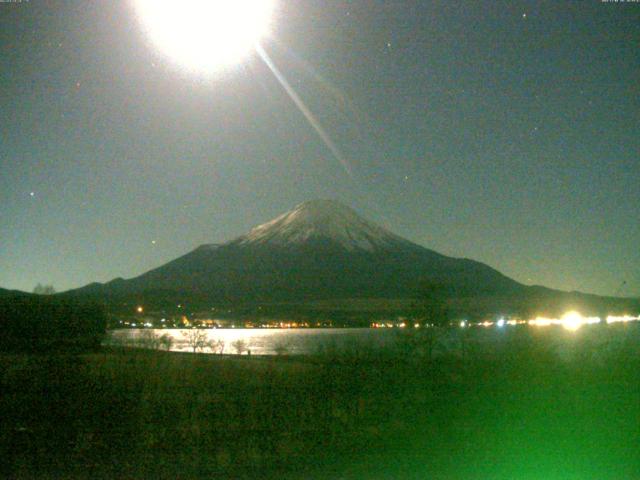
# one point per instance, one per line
(321, 251)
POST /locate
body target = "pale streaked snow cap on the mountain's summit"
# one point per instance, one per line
(325, 220)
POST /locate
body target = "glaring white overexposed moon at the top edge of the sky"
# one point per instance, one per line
(205, 35)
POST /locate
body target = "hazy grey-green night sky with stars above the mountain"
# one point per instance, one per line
(503, 131)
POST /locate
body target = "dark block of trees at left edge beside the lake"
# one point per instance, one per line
(33, 323)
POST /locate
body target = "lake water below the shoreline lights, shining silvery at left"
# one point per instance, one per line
(310, 341)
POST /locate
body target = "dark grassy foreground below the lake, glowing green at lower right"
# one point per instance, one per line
(521, 411)
